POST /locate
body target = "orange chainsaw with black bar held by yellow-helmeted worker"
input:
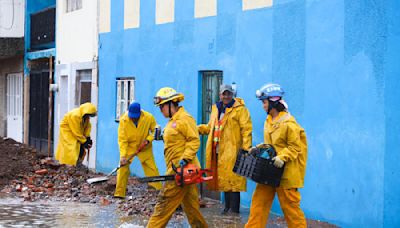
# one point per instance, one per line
(189, 174)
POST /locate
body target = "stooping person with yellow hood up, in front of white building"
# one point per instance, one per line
(75, 134)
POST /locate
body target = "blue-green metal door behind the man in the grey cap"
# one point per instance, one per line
(210, 83)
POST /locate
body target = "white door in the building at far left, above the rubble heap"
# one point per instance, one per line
(14, 106)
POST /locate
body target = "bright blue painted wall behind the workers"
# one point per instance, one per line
(337, 60)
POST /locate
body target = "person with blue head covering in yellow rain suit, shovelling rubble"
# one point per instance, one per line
(136, 129)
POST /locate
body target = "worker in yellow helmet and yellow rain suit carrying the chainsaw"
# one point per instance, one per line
(181, 142)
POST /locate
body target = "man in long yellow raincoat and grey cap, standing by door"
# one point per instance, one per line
(229, 130)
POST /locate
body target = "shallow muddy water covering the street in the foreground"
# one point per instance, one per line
(16, 213)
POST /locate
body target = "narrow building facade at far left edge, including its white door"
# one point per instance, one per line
(12, 14)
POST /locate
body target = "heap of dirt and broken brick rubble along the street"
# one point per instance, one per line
(40, 178)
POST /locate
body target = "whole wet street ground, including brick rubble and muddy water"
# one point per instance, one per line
(37, 192)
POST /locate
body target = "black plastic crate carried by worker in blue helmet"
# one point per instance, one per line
(258, 169)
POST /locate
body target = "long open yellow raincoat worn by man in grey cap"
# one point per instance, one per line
(235, 135)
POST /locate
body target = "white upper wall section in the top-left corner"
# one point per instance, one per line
(12, 14)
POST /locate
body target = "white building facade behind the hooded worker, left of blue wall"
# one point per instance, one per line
(76, 62)
